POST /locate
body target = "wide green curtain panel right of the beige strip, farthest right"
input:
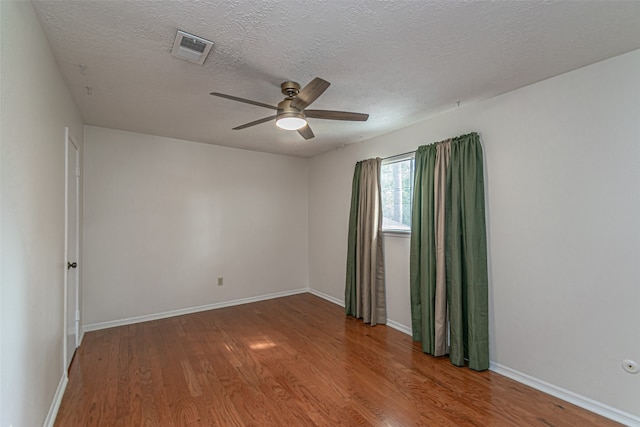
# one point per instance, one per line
(466, 248)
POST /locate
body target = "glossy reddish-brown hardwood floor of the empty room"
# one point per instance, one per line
(293, 361)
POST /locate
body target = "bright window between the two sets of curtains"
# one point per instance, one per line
(396, 180)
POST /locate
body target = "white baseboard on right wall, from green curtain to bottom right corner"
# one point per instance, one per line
(568, 396)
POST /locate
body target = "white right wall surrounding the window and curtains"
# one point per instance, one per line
(562, 181)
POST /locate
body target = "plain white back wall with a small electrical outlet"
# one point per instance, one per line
(165, 218)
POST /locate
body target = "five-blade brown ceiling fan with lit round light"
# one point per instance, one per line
(291, 113)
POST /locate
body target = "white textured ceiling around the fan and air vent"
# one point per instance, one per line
(400, 61)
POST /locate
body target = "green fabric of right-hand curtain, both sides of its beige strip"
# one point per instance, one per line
(465, 250)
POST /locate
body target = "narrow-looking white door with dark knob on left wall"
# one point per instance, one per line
(72, 315)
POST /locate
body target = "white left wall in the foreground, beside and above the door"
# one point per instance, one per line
(35, 108)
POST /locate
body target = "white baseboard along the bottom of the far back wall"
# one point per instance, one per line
(180, 312)
